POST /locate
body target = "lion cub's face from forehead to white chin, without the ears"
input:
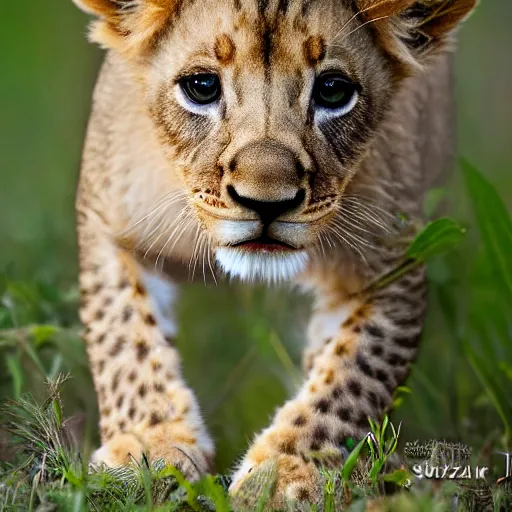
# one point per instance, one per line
(264, 113)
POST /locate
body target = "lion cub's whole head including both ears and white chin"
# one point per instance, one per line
(265, 107)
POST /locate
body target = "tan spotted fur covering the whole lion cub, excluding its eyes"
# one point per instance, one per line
(166, 182)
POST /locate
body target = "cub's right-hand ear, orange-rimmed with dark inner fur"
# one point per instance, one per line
(410, 29)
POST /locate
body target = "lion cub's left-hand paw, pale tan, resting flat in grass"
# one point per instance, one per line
(126, 448)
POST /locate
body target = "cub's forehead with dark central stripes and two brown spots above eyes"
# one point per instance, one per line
(259, 32)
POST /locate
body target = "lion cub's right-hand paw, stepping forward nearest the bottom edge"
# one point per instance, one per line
(286, 482)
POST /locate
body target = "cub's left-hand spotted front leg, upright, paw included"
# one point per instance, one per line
(145, 406)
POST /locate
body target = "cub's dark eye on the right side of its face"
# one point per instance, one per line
(334, 91)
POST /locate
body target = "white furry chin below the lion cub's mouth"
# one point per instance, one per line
(261, 265)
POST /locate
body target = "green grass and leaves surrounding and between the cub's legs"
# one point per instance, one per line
(464, 395)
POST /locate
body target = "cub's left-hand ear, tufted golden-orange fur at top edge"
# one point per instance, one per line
(129, 26)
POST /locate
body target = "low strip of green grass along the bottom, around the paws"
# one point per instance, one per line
(53, 474)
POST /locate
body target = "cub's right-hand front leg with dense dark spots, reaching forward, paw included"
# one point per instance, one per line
(360, 350)
